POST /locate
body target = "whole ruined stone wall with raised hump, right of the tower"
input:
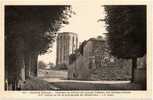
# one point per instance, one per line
(97, 63)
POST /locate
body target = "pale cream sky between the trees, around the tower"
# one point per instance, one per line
(84, 23)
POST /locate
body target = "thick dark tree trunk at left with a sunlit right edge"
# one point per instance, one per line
(16, 67)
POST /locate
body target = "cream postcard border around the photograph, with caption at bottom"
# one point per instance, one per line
(120, 94)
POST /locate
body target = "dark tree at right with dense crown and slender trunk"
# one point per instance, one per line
(127, 31)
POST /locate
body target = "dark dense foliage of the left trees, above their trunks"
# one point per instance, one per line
(35, 24)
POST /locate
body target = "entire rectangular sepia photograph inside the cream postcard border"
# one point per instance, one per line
(75, 47)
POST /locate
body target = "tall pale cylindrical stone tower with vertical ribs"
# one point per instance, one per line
(67, 43)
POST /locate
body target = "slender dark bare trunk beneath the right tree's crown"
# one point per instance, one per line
(134, 65)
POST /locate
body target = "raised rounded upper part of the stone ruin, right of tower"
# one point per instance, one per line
(97, 51)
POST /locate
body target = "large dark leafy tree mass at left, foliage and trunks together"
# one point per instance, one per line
(30, 31)
